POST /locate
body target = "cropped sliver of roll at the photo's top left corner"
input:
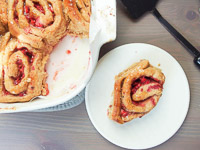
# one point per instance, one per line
(3, 17)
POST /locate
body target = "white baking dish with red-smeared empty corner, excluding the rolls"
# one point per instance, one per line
(73, 60)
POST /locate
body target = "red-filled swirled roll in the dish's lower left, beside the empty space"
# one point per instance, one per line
(22, 74)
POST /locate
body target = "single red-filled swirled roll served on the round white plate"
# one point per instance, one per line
(136, 92)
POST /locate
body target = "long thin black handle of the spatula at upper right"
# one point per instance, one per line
(179, 37)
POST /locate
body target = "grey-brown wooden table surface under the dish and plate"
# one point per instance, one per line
(72, 129)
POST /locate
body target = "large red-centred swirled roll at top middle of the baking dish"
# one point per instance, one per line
(36, 22)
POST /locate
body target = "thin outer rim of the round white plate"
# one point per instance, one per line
(180, 123)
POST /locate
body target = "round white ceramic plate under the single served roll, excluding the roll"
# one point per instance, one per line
(157, 126)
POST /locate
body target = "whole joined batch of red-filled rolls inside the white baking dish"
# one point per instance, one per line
(29, 30)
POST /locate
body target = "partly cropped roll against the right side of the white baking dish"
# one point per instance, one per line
(77, 13)
